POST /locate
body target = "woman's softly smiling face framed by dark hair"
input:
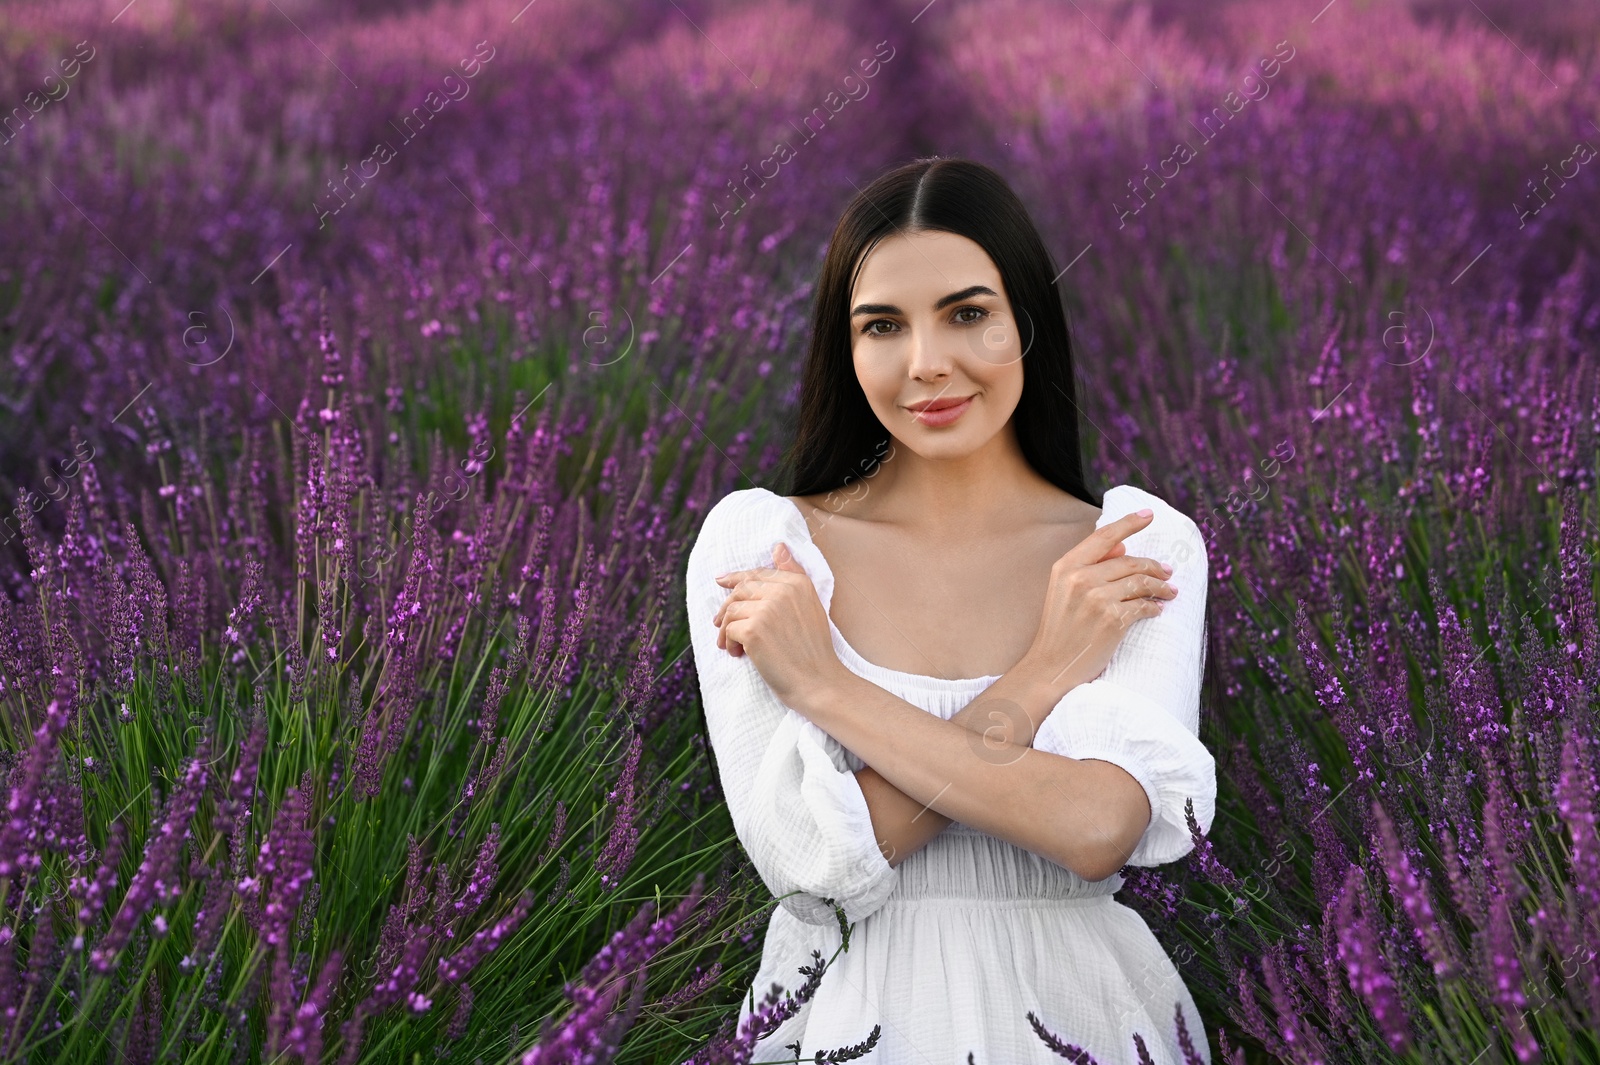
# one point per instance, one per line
(930, 324)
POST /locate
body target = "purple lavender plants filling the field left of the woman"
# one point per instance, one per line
(414, 602)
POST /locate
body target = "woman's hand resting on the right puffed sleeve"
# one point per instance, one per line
(1097, 592)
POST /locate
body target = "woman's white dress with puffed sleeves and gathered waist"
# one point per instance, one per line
(951, 949)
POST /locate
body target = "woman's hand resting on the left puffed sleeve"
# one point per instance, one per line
(777, 618)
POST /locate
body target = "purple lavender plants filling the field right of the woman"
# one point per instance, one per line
(1372, 380)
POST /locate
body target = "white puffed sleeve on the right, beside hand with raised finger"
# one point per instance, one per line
(1143, 712)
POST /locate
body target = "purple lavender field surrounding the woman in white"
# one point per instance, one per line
(370, 367)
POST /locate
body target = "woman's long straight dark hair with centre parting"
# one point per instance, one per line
(839, 437)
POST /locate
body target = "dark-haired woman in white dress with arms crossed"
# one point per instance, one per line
(951, 698)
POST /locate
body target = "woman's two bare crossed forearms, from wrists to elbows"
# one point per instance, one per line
(980, 768)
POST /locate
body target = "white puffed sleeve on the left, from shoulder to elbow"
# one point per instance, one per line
(794, 804)
